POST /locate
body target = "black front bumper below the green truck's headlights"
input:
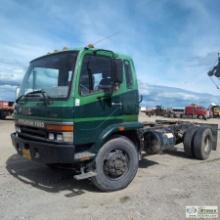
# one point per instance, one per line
(44, 152)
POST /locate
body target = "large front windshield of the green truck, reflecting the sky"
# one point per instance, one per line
(52, 74)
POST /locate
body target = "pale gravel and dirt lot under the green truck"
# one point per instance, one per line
(164, 185)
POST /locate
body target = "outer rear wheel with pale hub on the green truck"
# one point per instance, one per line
(202, 143)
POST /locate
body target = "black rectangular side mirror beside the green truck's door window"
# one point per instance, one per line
(117, 71)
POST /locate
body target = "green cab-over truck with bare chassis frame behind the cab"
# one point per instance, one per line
(80, 107)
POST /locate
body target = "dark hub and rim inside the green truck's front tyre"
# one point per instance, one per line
(116, 164)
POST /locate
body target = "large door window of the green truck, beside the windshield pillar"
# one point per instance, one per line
(96, 71)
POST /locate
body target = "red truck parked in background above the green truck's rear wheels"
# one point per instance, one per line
(197, 111)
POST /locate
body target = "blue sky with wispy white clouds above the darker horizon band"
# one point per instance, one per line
(172, 42)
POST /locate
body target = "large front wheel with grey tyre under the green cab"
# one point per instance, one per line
(116, 164)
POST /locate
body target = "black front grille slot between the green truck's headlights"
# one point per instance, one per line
(32, 132)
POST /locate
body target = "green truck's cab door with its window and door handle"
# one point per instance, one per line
(96, 110)
